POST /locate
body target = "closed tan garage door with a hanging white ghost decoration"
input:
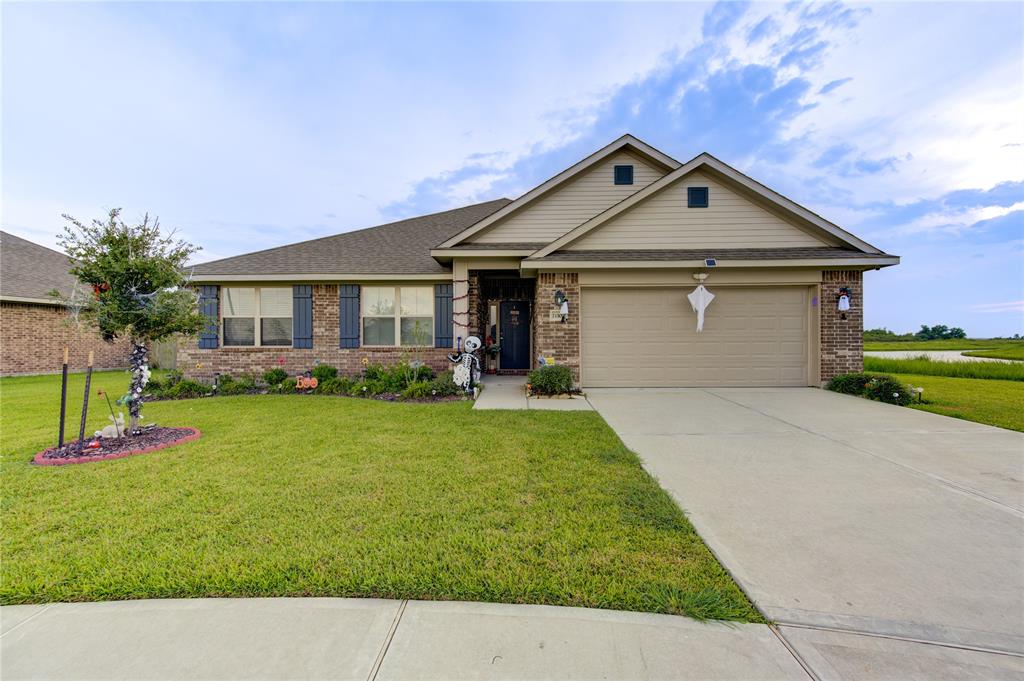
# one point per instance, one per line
(649, 338)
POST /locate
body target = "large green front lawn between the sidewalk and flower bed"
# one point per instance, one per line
(318, 496)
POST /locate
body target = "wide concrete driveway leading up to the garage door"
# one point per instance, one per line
(863, 529)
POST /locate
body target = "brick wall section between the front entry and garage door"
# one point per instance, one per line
(551, 336)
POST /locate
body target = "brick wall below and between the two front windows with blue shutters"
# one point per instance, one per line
(237, 361)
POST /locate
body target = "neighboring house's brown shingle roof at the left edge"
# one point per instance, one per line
(29, 272)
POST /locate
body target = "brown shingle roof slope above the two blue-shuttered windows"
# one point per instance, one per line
(396, 248)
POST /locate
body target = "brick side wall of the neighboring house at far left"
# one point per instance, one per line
(33, 339)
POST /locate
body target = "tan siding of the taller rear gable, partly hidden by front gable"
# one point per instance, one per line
(551, 217)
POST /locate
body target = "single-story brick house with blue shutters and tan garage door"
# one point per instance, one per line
(622, 235)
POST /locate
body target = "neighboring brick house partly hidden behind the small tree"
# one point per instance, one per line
(34, 328)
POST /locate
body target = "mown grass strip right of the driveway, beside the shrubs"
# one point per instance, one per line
(985, 401)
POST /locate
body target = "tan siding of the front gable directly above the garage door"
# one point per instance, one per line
(664, 222)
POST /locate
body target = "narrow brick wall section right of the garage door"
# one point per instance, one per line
(842, 339)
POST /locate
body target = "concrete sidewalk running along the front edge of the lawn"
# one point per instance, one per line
(367, 640)
